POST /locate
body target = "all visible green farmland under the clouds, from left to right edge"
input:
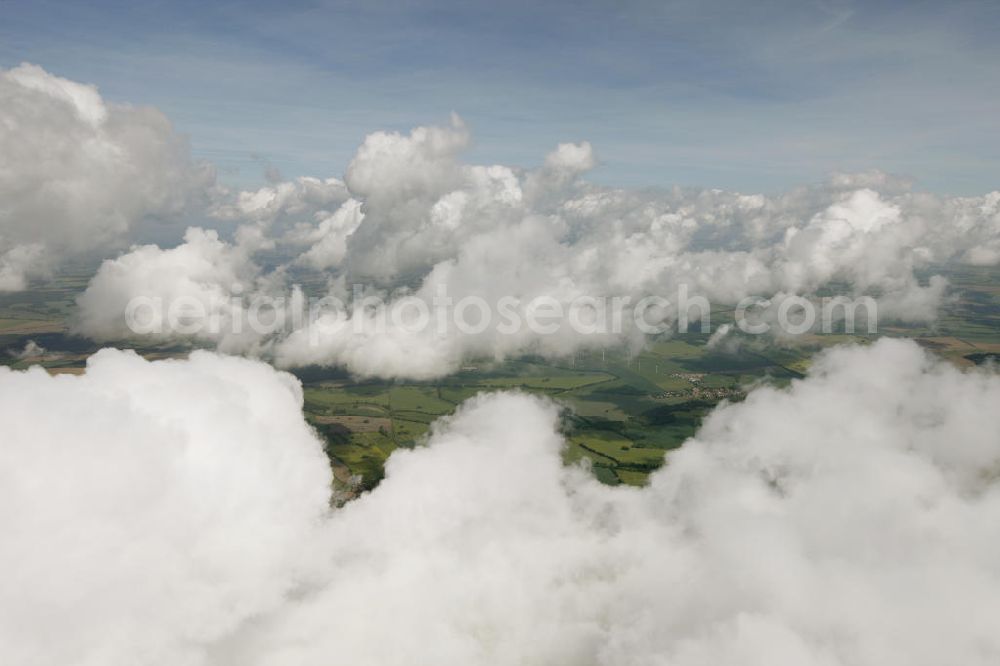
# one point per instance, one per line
(623, 412)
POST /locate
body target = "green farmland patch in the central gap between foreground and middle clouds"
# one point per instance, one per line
(622, 413)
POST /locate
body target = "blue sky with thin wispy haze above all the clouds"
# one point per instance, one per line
(752, 96)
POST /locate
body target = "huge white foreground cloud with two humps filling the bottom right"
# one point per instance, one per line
(850, 519)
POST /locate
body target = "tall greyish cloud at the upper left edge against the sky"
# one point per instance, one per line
(79, 173)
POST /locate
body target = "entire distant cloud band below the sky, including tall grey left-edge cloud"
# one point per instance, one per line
(411, 220)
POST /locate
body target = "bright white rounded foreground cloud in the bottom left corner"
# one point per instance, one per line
(163, 506)
